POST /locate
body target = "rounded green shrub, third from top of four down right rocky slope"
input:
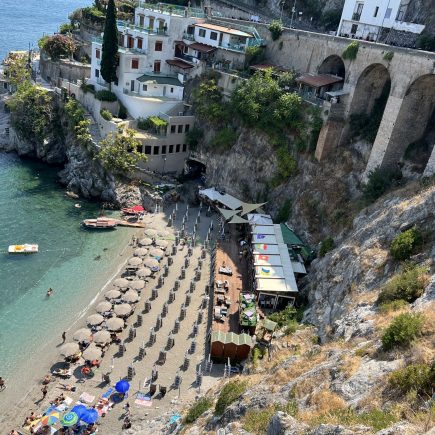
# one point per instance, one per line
(402, 331)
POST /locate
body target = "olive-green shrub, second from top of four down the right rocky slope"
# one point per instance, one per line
(408, 285)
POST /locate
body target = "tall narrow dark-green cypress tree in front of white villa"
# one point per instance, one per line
(109, 58)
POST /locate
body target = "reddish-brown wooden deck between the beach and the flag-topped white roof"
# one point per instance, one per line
(227, 254)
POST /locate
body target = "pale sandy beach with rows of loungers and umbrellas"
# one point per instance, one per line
(16, 406)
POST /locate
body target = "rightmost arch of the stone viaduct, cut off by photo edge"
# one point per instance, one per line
(413, 131)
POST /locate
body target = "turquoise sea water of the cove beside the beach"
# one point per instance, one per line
(34, 209)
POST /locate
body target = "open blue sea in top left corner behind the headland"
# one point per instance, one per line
(24, 21)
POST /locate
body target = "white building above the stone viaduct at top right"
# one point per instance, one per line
(365, 19)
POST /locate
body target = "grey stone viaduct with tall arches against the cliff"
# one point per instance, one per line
(404, 77)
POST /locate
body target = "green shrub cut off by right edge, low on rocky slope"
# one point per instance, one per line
(414, 377)
